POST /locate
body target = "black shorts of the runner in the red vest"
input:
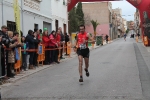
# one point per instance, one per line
(85, 53)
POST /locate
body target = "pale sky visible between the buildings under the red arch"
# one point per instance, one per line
(127, 9)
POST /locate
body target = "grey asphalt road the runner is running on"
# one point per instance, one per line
(117, 72)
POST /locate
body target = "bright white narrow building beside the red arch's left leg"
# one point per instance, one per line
(60, 15)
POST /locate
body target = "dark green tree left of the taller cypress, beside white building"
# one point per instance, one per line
(73, 21)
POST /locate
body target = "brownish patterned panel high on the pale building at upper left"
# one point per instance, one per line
(32, 4)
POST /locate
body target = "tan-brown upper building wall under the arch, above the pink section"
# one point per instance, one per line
(97, 11)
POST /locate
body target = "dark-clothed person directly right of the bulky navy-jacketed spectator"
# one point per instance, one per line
(37, 41)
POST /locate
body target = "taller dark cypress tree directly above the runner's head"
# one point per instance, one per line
(80, 14)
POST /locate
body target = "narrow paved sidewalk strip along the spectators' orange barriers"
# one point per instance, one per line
(40, 68)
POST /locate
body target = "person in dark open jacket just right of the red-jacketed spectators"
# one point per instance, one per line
(62, 41)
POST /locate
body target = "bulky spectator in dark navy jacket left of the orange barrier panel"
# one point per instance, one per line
(31, 41)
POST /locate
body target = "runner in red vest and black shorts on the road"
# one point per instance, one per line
(83, 50)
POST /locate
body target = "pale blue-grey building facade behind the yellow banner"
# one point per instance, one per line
(33, 14)
